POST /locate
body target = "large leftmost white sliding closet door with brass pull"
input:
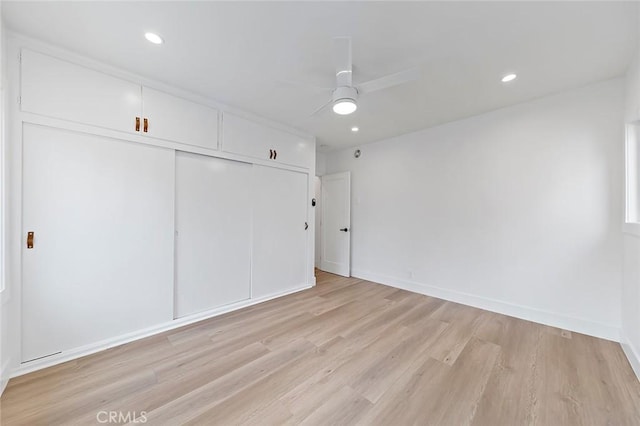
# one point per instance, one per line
(102, 213)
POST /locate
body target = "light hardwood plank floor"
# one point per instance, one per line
(345, 352)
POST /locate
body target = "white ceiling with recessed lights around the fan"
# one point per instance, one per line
(239, 53)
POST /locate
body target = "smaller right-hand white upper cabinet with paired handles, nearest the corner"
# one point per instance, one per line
(244, 137)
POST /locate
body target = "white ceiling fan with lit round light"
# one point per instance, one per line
(345, 95)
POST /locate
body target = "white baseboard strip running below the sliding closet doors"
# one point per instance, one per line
(72, 354)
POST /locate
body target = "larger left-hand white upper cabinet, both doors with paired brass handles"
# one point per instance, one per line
(56, 88)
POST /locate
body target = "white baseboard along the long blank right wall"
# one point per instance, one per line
(578, 325)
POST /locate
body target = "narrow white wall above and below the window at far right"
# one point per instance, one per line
(630, 337)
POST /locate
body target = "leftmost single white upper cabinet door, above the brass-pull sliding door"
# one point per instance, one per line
(60, 89)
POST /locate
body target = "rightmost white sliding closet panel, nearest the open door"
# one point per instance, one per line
(279, 235)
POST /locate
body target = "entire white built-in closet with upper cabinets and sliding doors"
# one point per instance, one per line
(132, 233)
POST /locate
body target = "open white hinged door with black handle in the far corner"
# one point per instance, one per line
(336, 224)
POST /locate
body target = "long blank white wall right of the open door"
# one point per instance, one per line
(516, 211)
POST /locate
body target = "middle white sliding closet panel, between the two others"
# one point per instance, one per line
(213, 223)
